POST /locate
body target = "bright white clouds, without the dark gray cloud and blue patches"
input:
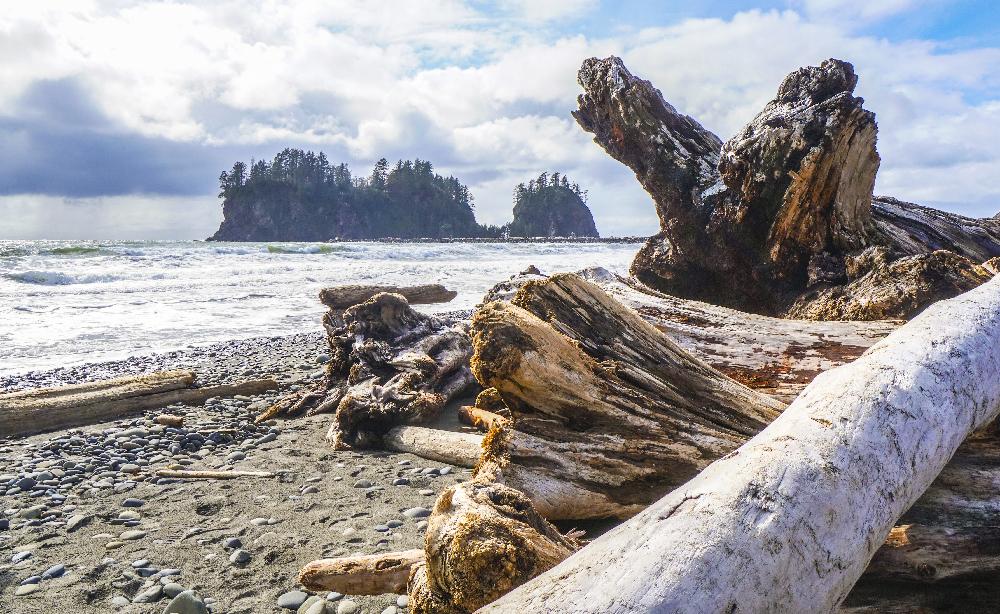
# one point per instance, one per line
(487, 96)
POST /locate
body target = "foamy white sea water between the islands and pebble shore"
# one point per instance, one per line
(65, 303)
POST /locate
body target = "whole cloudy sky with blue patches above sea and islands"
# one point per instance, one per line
(117, 117)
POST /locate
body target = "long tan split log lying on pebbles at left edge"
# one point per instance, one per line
(35, 411)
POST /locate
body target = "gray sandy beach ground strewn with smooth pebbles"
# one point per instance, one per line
(317, 506)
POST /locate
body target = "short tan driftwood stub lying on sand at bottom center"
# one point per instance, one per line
(375, 574)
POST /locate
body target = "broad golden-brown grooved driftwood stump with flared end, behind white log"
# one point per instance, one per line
(609, 414)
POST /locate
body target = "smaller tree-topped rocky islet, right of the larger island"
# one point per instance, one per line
(552, 211)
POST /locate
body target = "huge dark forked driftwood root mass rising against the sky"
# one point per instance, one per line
(782, 211)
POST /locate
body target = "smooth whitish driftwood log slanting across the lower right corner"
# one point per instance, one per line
(789, 521)
